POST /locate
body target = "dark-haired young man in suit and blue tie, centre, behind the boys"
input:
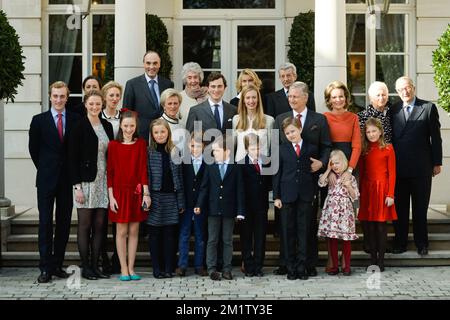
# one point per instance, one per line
(213, 113)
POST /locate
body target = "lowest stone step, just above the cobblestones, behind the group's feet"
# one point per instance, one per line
(359, 258)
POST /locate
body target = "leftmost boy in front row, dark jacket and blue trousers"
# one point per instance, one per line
(193, 173)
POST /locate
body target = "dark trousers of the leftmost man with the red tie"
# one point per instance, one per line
(51, 250)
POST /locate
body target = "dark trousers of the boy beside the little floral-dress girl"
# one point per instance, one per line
(295, 221)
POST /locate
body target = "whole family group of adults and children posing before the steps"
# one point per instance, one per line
(177, 160)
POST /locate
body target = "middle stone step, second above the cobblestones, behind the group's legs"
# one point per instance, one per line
(29, 242)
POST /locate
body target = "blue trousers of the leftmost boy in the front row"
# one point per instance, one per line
(189, 219)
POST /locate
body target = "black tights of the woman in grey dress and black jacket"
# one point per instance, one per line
(90, 224)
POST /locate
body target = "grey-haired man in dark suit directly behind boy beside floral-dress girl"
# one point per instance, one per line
(315, 132)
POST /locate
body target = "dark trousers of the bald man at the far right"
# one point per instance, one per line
(417, 190)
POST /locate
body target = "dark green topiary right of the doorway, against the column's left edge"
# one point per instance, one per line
(301, 47)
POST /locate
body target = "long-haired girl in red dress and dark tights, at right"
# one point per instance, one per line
(377, 184)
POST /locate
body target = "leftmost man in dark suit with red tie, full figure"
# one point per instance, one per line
(48, 149)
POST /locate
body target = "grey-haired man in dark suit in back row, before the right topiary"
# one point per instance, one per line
(277, 102)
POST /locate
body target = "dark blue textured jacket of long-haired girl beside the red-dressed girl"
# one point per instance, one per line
(155, 176)
